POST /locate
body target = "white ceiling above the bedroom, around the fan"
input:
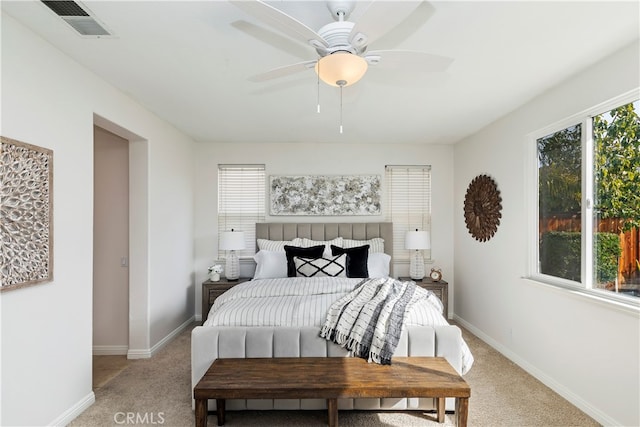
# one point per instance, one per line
(189, 63)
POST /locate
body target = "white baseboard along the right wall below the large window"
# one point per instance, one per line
(566, 393)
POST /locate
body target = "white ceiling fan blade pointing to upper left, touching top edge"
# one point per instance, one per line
(281, 21)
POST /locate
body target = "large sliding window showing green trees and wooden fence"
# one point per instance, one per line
(588, 187)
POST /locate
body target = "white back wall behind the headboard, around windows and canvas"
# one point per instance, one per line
(319, 159)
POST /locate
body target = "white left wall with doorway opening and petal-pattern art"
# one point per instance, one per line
(50, 101)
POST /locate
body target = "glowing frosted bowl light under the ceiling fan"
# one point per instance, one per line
(342, 67)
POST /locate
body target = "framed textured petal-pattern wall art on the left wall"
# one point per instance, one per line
(26, 214)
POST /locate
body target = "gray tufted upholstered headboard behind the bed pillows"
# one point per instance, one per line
(328, 231)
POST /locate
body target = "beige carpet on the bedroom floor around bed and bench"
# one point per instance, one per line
(157, 391)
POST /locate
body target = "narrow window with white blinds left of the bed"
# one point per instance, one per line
(241, 201)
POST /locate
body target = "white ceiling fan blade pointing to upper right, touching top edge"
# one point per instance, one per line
(378, 19)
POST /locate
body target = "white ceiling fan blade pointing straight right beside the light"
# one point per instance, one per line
(408, 59)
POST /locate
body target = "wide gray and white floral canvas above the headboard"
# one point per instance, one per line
(325, 195)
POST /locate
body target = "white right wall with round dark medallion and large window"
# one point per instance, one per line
(585, 350)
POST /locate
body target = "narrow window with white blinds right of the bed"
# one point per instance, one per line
(409, 204)
